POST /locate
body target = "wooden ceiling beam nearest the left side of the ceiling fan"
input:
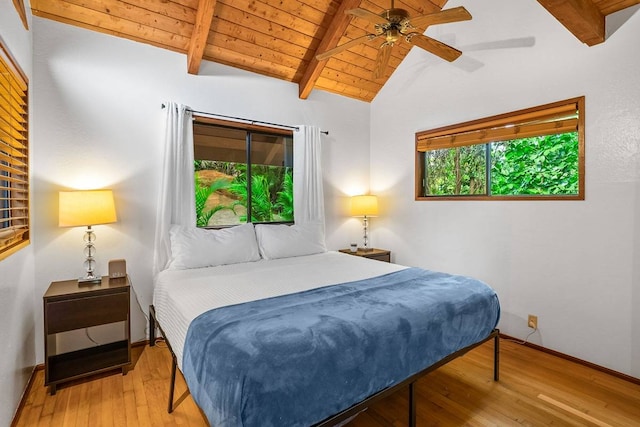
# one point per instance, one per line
(330, 40)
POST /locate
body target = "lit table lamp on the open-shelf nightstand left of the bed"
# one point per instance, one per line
(87, 208)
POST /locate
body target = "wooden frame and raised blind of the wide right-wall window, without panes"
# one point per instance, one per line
(545, 119)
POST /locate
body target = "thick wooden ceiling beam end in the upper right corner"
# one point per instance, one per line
(582, 17)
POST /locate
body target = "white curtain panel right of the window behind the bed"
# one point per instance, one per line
(308, 198)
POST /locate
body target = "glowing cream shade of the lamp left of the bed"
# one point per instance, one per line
(85, 208)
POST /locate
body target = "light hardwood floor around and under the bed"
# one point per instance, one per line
(535, 389)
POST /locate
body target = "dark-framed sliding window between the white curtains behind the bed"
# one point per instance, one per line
(243, 173)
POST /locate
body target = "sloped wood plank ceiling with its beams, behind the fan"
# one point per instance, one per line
(280, 38)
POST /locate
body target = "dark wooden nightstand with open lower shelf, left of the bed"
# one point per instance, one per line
(67, 307)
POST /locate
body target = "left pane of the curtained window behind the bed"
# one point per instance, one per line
(220, 175)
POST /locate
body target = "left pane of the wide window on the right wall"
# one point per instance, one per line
(456, 171)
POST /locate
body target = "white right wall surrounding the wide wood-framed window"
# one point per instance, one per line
(574, 264)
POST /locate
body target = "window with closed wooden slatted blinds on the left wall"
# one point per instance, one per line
(14, 156)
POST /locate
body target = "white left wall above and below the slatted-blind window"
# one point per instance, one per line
(17, 334)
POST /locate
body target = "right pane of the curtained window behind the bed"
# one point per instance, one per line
(271, 178)
